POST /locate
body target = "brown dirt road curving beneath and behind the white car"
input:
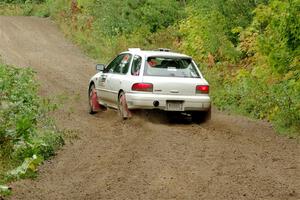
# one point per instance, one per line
(230, 157)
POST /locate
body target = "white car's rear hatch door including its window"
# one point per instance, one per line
(172, 75)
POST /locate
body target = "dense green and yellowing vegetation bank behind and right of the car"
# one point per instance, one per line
(249, 50)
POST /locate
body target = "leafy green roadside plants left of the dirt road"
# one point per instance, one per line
(27, 135)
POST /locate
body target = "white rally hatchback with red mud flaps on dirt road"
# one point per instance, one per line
(161, 79)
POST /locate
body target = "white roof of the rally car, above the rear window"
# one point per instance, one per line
(147, 53)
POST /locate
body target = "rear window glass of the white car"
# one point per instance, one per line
(170, 67)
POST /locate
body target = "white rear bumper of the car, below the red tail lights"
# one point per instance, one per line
(146, 101)
